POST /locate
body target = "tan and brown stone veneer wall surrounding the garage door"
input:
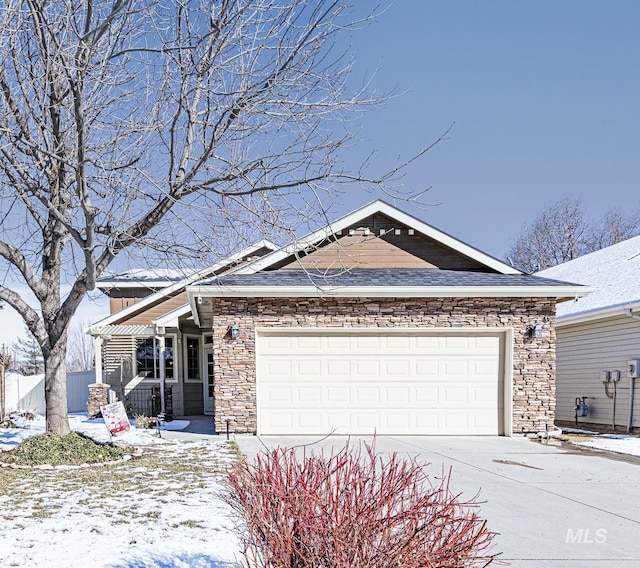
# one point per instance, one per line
(533, 359)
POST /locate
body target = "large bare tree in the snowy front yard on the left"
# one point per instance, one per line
(129, 124)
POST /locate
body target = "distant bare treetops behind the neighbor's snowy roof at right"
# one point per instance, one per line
(562, 232)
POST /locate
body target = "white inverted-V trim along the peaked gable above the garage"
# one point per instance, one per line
(366, 211)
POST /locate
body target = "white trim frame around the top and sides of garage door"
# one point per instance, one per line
(507, 334)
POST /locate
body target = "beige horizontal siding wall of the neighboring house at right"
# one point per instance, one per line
(585, 350)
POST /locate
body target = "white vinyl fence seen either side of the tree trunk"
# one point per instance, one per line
(27, 393)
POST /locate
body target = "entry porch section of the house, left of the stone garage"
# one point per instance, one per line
(149, 313)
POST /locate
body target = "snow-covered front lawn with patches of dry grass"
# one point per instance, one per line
(162, 510)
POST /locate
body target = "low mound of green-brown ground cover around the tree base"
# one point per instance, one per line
(71, 449)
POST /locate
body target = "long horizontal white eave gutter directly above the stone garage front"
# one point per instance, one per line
(387, 291)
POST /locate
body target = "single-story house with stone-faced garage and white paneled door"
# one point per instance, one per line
(376, 322)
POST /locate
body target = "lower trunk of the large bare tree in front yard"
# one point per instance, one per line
(55, 389)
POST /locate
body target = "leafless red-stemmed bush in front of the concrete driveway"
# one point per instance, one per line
(353, 509)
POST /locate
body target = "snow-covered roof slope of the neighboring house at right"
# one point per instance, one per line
(614, 271)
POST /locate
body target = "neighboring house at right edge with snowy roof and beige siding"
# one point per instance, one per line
(598, 336)
